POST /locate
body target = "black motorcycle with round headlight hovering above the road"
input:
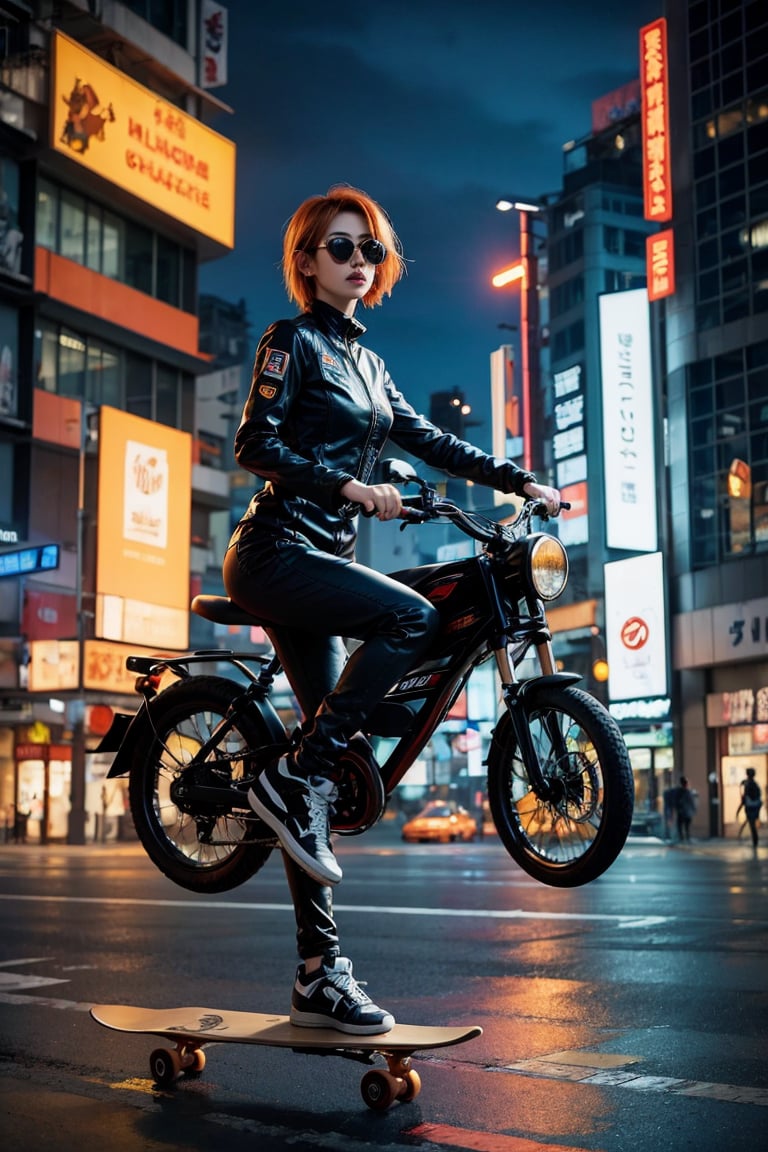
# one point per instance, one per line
(559, 777)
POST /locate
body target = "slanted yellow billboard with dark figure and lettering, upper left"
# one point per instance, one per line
(148, 147)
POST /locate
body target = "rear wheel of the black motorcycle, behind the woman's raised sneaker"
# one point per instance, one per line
(234, 847)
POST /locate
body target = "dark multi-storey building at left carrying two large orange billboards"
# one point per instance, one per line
(113, 471)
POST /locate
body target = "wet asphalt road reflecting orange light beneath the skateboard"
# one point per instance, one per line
(626, 1015)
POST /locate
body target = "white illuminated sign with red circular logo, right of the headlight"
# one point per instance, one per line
(636, 633)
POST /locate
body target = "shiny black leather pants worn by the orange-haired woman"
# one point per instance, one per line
(313, 600)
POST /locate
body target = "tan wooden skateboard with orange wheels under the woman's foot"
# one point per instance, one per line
(192, 1028)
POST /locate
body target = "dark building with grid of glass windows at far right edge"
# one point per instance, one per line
(716, 344)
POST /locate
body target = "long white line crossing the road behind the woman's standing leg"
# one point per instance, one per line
(493, 914)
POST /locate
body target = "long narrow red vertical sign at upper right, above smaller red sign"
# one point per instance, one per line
(655, 120)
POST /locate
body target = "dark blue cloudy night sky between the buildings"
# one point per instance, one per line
(435, 109)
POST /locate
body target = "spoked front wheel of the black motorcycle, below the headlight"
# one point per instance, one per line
(573, 835)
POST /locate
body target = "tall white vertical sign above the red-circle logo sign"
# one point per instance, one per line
(628, 431)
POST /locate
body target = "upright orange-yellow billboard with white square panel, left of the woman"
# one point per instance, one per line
(143, 535)
